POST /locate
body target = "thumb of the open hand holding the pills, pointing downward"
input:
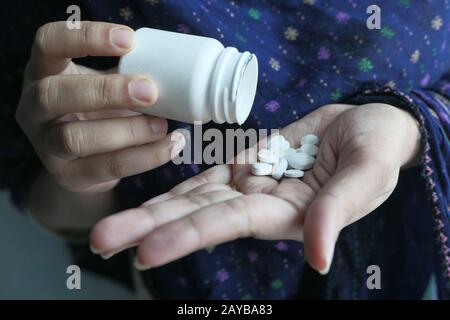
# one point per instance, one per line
(351, 193)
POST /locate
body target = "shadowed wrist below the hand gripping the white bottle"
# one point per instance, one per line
(67, 213)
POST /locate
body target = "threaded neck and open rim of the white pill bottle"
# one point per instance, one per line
(233, 86)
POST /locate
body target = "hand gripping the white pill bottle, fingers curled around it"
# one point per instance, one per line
(78, 119)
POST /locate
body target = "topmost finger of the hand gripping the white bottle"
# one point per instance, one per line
(55, 44)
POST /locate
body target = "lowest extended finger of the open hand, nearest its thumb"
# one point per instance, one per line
(247, 216)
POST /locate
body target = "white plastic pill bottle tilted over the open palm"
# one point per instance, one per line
(198, 79)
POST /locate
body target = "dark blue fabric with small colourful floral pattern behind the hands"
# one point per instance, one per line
(311, 53)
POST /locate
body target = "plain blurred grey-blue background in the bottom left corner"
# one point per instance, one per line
(33, 263)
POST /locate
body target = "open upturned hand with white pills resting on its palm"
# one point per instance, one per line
(362, 149)
